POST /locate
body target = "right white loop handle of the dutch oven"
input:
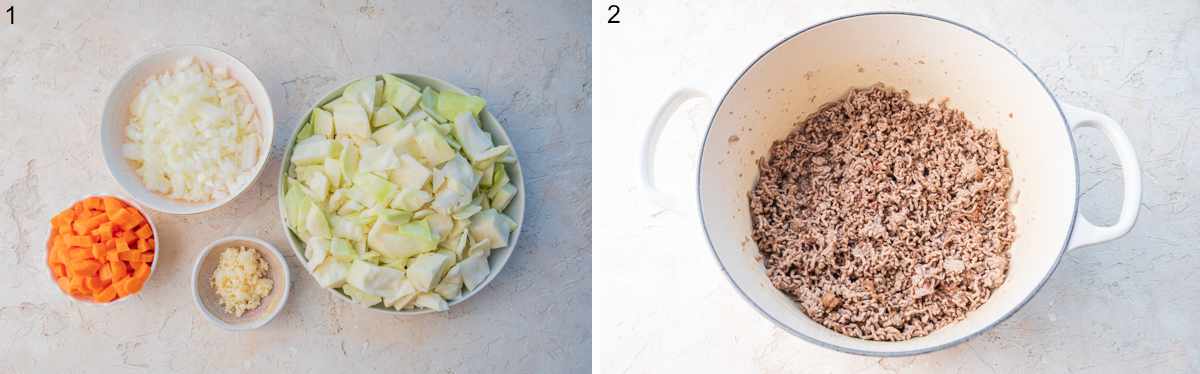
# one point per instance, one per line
(1088, 233)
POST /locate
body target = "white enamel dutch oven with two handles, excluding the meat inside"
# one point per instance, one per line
(932, 58)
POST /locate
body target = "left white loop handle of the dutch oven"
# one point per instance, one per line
(651, 144)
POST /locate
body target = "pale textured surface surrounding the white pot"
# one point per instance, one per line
(1127, 306)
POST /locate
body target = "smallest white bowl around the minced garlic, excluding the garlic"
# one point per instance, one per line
(208, 301)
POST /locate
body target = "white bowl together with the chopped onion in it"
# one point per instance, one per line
(187, 130)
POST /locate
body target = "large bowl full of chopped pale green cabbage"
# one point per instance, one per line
(401, 194)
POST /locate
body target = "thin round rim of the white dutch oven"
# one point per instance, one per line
(869, 353)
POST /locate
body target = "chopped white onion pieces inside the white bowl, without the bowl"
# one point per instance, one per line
(194, 134)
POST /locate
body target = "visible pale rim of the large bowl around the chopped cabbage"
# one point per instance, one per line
(499, 258)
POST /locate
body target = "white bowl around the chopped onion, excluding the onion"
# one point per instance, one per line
(117, 117)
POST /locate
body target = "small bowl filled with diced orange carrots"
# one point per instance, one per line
(101, 250)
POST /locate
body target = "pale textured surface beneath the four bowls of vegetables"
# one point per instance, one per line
(530, 61)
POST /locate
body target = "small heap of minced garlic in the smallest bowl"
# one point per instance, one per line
(241, 280)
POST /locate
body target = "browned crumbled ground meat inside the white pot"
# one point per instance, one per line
(885, 219)
